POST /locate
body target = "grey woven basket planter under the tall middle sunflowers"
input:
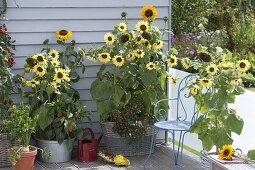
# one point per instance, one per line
(116, 144)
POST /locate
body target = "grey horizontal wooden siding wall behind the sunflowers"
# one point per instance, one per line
(89, 20)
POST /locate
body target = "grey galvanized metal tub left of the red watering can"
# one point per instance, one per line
(59, 153)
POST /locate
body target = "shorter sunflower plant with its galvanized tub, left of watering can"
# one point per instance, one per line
(49, 75)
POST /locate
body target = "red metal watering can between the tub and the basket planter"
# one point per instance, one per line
(87, 148)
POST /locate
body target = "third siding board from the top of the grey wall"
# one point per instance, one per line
(76, 25)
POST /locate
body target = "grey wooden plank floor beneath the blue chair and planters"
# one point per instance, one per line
(161, 159)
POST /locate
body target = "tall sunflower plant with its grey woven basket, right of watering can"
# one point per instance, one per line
(125, 91)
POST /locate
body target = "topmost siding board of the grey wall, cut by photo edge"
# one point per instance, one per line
(87, 3)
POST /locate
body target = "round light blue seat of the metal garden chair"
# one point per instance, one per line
(173, 125)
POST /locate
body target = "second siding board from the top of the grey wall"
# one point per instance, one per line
(78, 13)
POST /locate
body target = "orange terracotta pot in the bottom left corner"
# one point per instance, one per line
(27, 160)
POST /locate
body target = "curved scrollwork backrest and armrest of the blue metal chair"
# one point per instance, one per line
(183, 105)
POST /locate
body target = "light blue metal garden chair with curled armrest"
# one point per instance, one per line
(182, 121)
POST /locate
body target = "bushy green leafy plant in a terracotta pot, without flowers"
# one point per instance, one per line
(21, 125)
